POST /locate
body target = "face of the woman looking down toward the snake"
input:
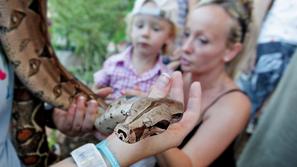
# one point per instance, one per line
(205, 39)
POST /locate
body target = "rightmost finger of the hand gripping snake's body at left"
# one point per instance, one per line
(90, 117)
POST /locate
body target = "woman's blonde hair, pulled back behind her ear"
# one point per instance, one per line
(241, 12)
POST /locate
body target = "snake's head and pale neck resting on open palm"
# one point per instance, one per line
(139, 117)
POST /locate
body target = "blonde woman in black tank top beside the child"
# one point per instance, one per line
(214, 37)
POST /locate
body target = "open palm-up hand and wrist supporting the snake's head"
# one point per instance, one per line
(174, 135)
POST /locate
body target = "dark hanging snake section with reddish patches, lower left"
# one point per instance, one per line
(29, 119)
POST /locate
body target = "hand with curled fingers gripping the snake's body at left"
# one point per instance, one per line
(79, 118)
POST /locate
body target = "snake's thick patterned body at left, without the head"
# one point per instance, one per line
(25, 41)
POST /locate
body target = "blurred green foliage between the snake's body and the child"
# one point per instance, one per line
(86, 27)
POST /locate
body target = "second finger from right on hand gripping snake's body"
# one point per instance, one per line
(79, 114)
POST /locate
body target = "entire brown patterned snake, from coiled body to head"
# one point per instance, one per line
(41, 78)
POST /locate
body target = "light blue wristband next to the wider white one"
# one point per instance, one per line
(103, 148)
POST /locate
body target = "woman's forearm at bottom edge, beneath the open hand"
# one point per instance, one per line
(173, 158)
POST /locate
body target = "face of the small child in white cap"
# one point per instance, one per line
(149, 33)
